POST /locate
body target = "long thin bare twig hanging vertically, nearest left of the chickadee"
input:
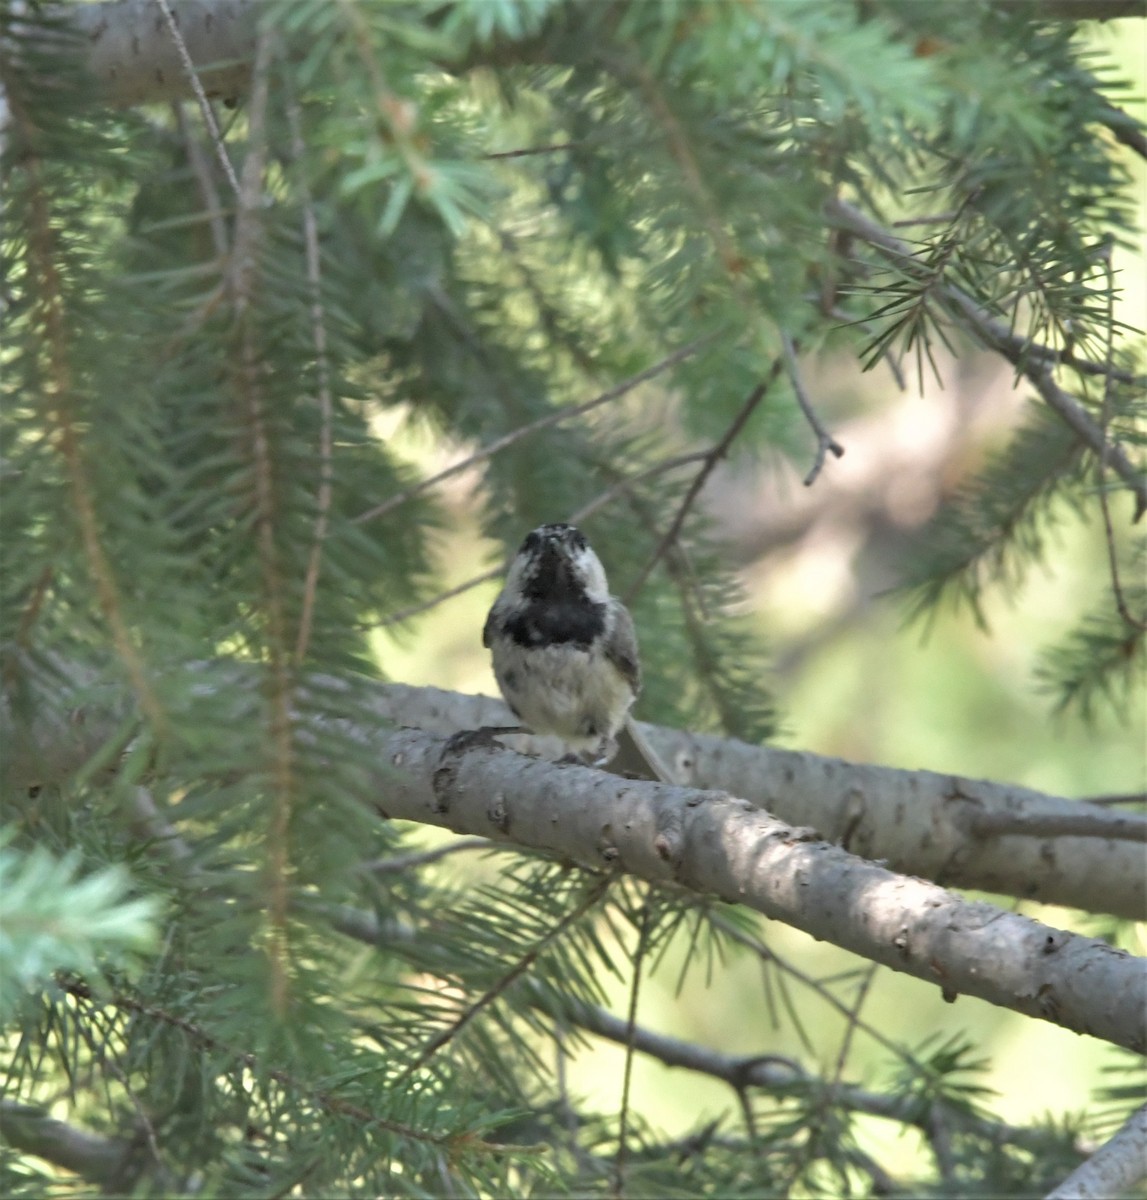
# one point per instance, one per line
(319, 333)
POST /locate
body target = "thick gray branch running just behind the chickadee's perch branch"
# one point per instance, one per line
(918, 823)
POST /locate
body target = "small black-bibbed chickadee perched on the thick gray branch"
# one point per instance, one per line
(565, 651)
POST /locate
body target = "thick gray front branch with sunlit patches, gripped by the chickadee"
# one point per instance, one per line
(718, 845)
